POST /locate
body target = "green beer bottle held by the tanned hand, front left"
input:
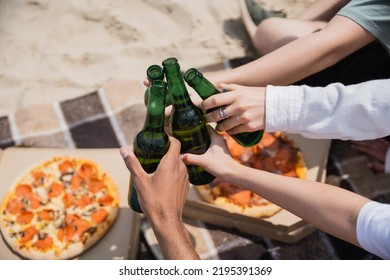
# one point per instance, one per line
(151, 143)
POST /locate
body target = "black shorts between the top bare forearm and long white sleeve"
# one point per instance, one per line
(371, 62)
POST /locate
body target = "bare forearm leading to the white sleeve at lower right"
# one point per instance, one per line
(329, 208)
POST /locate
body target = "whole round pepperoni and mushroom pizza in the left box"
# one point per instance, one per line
(58, 209)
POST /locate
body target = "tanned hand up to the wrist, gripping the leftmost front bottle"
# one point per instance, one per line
(163, 193)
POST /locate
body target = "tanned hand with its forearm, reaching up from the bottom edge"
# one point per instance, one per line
(162, 196)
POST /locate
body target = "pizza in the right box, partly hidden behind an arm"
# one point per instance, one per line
(275, 153)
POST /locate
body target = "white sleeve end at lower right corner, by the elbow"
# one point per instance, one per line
(373, 228)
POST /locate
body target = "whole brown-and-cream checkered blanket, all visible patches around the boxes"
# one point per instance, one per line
(111, 116)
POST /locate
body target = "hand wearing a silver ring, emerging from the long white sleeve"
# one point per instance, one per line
(245, 107)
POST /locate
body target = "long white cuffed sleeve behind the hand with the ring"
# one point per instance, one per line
(354, 112)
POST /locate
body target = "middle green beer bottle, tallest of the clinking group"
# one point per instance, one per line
(187, 121)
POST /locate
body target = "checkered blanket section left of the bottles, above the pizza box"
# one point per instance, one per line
(106, 118)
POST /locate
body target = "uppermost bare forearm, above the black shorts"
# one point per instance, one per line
(302, 57)
